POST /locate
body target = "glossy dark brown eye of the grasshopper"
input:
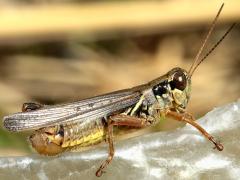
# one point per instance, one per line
(179, 81)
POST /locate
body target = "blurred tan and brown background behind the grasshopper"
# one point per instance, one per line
(61, 51)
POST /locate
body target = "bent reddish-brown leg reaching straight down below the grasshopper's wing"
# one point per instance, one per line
(118, 120)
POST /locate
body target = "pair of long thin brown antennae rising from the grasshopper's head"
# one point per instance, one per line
(196, 59)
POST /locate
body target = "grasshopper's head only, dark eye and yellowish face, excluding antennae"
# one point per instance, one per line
(180, 87)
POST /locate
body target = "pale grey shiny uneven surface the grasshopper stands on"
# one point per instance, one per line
(179, 154)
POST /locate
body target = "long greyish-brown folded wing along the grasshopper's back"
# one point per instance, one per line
(88, 109)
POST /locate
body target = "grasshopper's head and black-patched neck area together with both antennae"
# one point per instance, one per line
(174, 88)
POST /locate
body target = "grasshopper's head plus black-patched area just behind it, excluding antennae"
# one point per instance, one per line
(174, 90)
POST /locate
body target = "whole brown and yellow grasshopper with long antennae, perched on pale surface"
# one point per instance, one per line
(58, 128)
